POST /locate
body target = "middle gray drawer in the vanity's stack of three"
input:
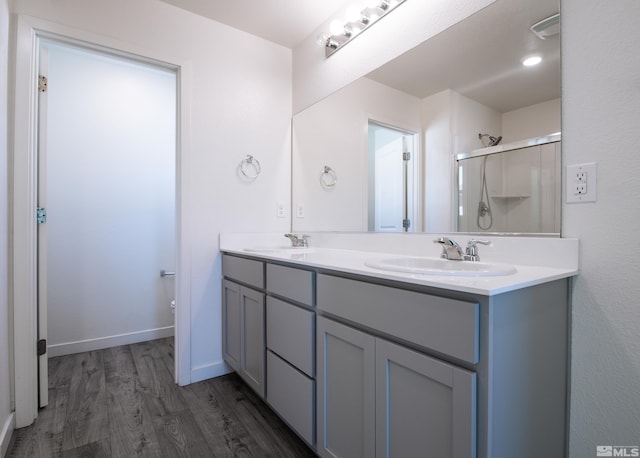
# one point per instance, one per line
(290, 331)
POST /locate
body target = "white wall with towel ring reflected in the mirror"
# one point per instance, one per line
(334, 133)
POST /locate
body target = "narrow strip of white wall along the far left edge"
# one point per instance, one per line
(6, 418)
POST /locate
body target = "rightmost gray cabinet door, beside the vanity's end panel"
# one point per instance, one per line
(425, 407)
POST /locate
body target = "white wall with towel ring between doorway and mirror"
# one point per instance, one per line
(240, 103)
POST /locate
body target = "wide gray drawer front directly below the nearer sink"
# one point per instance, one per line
(449, 326)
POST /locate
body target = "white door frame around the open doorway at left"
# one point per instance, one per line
(23, 188)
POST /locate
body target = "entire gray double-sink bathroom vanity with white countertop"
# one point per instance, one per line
(364, 362)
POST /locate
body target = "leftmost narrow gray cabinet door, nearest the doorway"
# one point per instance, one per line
(231, 324)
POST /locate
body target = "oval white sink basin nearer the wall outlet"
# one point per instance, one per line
(439, 266)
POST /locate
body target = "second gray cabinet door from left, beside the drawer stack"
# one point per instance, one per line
(252, 350)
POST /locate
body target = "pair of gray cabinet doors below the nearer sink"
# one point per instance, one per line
(377, 398)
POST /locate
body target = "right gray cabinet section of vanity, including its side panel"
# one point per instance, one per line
(455, 374)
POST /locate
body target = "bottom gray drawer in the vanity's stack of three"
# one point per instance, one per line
(292, 395)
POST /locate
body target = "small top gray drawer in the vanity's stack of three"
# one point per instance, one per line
(294, 284)
